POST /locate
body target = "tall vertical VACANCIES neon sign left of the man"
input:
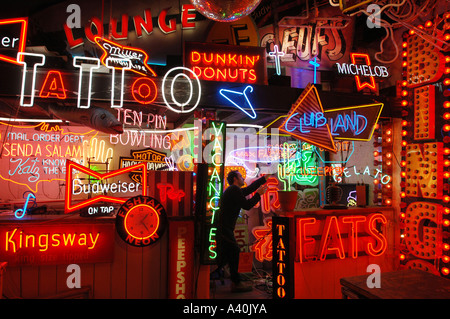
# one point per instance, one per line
(215, 184)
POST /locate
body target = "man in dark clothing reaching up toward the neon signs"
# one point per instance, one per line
(233, 200)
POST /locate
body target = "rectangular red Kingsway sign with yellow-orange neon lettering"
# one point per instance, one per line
(29, 244)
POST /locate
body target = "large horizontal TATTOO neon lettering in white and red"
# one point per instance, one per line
(143, 88)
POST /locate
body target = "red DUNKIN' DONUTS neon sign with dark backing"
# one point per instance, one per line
(212, 62)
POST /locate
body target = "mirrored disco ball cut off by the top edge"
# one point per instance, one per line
(225, 10)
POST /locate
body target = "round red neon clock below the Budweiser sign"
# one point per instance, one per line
(141, 221)
